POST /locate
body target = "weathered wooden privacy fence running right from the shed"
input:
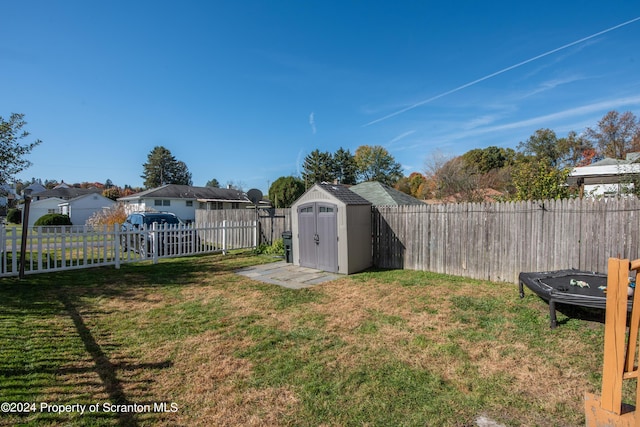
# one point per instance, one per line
(497, 241)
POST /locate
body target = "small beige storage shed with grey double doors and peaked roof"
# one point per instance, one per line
(331, 230)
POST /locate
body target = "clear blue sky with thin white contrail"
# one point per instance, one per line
(242, 91)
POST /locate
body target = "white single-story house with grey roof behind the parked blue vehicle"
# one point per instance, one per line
(182, 200)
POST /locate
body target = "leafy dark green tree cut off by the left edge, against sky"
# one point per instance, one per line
(12, 150)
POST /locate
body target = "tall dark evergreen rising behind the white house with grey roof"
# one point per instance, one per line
(163, 168)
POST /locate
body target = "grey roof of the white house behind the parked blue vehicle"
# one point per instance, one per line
(175, 191)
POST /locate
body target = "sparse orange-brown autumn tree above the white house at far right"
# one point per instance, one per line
(616, 134)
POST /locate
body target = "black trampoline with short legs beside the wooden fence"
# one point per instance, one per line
(574, 287)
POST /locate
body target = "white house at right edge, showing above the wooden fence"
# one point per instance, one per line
(607, 177)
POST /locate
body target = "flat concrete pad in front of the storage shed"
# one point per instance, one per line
(287, 275)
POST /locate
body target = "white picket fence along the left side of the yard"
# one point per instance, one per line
(48, 249)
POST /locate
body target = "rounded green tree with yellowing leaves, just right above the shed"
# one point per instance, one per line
(374, 163)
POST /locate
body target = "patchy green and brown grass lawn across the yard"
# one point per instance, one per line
(380, 348)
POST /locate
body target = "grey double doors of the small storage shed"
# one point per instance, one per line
(318, 236)
